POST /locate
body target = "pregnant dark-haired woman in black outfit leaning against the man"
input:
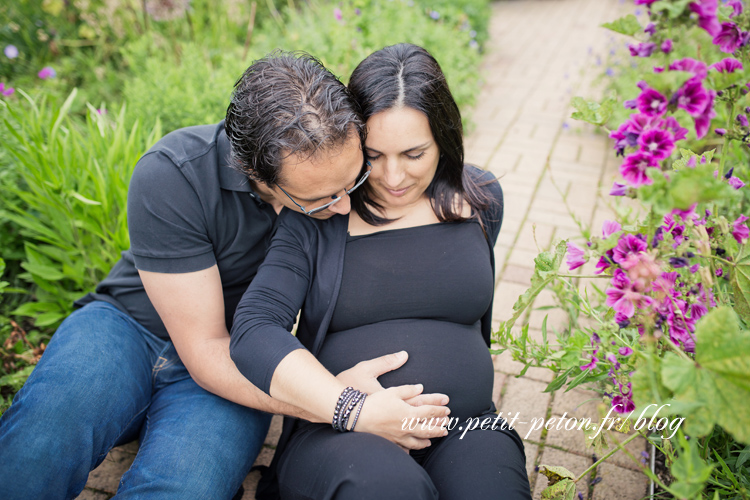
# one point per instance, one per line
(409, 270)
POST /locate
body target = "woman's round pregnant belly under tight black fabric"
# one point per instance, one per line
(447, 358)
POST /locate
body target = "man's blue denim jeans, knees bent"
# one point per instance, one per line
(104, 380)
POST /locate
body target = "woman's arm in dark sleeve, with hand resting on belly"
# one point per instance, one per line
(277, 363)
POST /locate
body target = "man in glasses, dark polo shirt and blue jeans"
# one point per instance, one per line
(199, 229)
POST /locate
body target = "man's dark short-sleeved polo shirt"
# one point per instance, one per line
(188, 210)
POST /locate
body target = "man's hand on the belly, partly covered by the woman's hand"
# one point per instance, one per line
(364, 377)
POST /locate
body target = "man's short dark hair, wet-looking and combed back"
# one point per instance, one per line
(287, 103)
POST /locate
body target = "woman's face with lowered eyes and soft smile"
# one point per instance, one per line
(403, 154)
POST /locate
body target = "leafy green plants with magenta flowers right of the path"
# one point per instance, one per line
(666, 331)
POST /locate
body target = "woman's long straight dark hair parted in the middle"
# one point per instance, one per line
(406, 75)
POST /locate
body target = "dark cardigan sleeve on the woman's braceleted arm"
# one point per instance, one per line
(266, 313)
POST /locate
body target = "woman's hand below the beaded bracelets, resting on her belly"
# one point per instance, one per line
(387, 414)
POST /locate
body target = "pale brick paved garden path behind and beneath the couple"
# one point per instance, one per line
(541, 53)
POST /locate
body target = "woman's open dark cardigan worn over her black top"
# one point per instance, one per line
(303, 268)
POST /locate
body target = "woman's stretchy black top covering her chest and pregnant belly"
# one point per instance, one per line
(422, 290)
